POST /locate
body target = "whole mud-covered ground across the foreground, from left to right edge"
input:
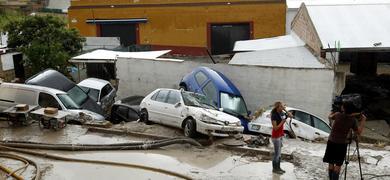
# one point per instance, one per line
(209, 162)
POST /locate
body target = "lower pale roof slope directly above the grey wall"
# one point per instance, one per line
(292, 57)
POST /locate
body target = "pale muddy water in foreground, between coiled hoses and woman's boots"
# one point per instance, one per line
(207, 164)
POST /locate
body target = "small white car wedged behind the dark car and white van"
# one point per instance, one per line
(100, 91)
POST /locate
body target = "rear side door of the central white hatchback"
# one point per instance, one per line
(156, 106)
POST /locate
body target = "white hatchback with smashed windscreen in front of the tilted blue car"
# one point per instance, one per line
(188, 110)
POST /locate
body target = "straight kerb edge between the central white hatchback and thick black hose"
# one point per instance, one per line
(124, 132)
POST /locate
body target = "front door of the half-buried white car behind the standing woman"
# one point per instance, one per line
(301, 125)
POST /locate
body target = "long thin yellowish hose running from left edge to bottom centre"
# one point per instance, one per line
(61, 158)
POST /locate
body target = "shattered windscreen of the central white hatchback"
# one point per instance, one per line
(197, 100)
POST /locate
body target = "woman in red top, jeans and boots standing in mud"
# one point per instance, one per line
(277, 113)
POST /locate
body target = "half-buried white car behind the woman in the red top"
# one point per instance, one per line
(303, 124)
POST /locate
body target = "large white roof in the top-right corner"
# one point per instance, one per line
(352, 26)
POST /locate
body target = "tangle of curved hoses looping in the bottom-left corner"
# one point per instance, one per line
(27, 163)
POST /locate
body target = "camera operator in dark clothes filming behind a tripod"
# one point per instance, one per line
(341, 136)
